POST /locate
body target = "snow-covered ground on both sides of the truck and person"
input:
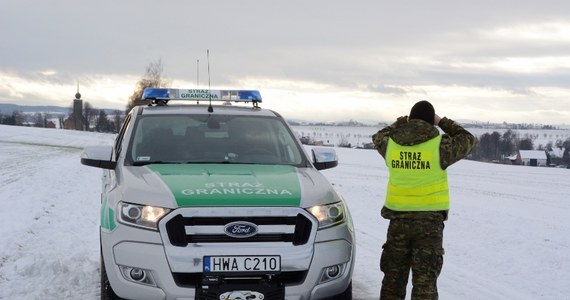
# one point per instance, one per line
(507, 237)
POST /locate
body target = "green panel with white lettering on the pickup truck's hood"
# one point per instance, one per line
(231, 184)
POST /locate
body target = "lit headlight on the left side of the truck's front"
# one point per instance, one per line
(145, 216)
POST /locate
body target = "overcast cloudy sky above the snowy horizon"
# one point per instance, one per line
(313, 59)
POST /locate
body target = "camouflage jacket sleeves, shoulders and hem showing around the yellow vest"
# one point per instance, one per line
(456, 144)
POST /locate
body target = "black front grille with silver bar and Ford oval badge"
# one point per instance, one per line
(199, 229)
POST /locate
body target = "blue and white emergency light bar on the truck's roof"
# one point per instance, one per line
(201, 95)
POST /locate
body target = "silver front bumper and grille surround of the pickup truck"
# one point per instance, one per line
(176, 271)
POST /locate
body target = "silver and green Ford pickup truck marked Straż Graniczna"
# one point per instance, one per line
(203, 201)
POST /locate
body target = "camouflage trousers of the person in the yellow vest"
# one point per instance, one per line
(416, 245)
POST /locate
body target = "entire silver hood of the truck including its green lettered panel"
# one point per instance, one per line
(184, 185)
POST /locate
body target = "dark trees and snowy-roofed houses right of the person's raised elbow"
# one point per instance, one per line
(499, 147)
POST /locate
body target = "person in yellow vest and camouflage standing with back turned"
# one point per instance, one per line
(417, 197)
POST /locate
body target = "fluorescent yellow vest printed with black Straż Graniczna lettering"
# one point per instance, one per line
(417, 181)
